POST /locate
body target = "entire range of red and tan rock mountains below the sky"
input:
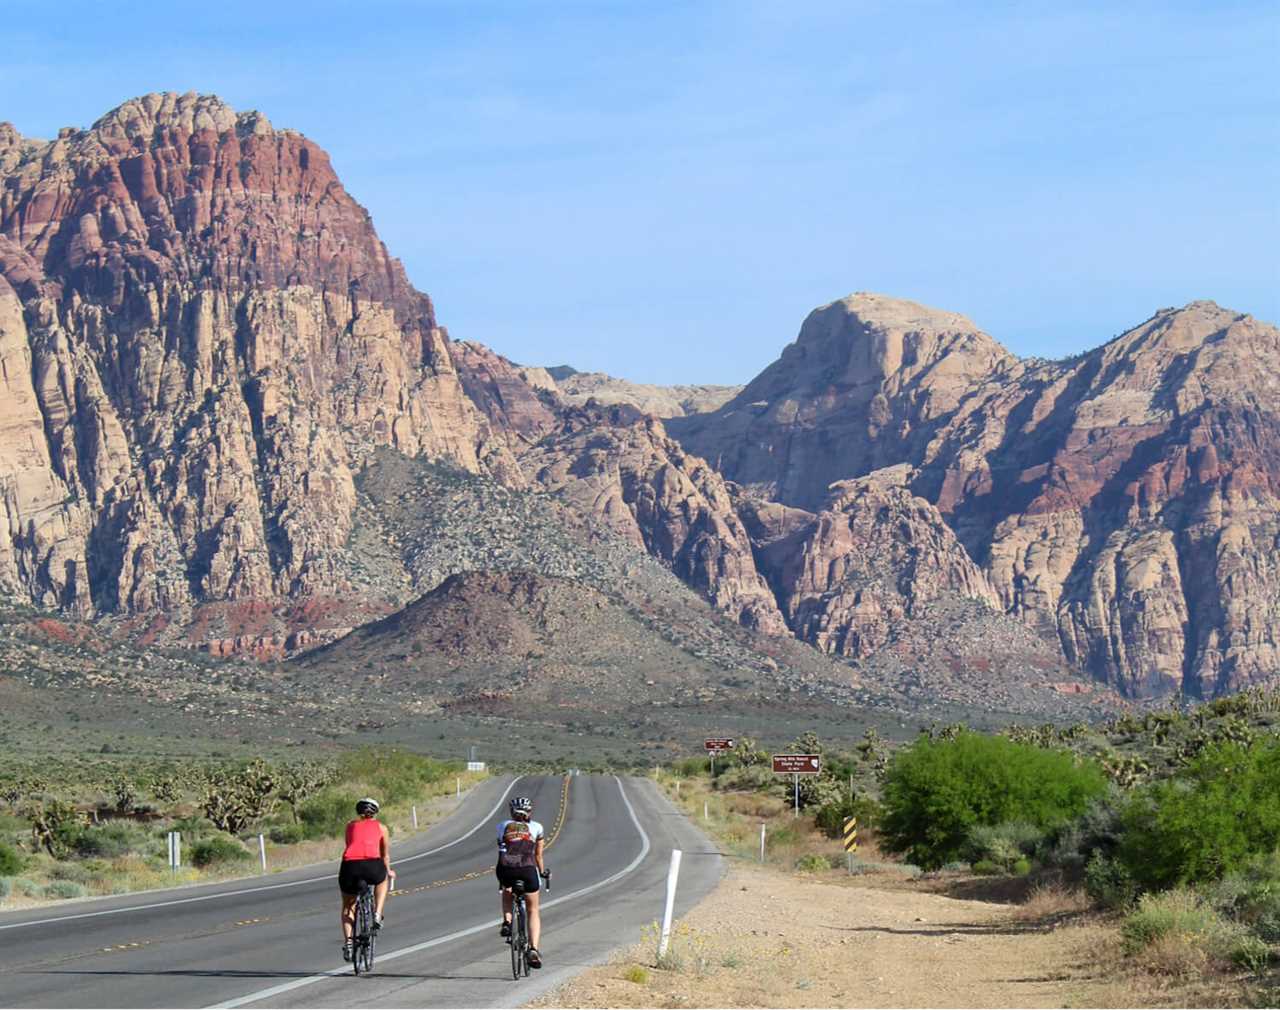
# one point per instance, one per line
(204, 345)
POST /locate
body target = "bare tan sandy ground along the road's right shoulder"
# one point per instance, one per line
(774, 939)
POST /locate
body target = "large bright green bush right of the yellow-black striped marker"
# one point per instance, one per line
(936, 792)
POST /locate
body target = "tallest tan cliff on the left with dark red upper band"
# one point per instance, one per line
(208, 340)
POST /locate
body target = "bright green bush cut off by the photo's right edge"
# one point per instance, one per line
(1220, 812)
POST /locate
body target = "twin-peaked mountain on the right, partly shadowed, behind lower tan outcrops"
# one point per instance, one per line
(1126, 502)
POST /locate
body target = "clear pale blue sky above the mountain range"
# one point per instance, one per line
(665, 190)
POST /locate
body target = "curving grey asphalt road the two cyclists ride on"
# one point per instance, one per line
(276, 942)
